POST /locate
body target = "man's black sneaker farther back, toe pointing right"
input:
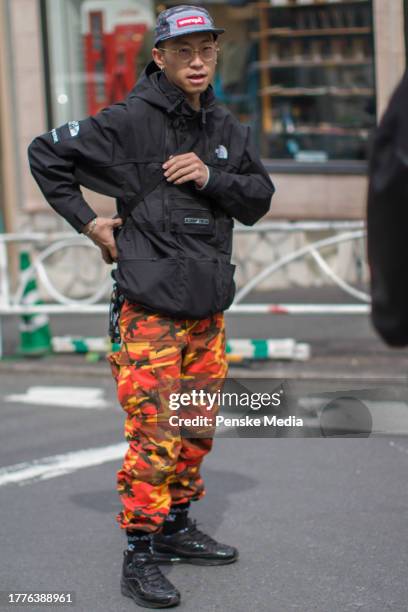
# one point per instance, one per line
(190, 545)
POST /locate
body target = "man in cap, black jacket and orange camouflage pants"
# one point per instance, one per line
(181, 168)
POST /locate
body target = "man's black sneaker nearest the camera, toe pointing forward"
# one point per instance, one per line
(143, 581)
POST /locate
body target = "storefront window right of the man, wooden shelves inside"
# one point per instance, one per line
(316, 79)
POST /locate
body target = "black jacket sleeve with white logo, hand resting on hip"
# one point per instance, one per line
(55, 156)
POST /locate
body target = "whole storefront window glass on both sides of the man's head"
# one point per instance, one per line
(300, 72)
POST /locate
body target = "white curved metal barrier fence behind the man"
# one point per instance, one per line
(45, 246)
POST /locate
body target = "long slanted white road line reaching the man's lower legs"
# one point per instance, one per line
(58, 465)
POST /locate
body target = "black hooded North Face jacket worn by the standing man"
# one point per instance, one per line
(174, 249)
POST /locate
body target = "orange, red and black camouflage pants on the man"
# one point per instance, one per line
(159, 356)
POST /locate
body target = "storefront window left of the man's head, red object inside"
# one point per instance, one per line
(94, 52)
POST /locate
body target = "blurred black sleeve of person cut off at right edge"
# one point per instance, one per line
(387, 221)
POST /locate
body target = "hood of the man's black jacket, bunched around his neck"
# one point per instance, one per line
(154, 87)
